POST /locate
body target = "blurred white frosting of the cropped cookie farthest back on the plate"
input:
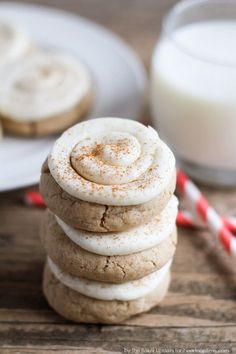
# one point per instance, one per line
(14, 43)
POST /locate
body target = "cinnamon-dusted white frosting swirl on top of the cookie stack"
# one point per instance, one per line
(112, 161)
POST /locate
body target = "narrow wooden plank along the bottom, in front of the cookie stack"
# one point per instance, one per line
(68, 333)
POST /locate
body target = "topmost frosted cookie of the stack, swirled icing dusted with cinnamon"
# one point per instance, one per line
(108, 174)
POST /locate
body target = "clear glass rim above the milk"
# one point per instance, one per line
(176, 10)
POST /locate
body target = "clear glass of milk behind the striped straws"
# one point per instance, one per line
(193, 93)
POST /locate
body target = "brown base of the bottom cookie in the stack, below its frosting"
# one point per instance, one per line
(81, 308)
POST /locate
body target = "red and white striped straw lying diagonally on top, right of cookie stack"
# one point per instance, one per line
(205, 211)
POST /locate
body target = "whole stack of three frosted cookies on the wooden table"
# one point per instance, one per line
(109, 231)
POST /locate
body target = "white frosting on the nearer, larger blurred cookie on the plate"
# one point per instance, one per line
(42, 85)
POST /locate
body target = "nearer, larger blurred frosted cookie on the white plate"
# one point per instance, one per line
(44, 93)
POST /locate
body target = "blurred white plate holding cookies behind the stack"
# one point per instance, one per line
(118, 74)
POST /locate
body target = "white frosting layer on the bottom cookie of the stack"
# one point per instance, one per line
(127, 291)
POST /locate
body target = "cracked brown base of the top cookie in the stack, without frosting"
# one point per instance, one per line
(95, 217)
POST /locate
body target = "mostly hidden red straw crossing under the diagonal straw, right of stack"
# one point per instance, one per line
(186, 219)
